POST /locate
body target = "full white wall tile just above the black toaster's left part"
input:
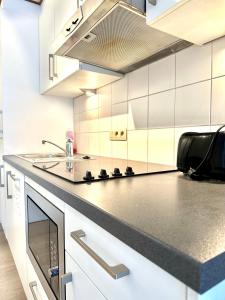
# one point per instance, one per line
(192, 106)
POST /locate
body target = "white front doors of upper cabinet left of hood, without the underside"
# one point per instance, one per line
(53, 69)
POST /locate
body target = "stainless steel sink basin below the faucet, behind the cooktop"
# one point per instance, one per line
(43, 157)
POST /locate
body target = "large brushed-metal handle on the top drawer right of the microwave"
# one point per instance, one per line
(115, 272)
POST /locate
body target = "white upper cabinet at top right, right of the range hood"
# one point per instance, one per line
(196, 21)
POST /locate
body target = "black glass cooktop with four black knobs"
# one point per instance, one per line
(93, 168)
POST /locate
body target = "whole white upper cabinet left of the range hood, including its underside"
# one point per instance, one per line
(64, 76)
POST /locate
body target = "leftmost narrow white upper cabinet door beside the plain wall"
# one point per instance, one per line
(46, 35)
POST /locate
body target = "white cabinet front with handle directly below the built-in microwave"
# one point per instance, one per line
(34, 286)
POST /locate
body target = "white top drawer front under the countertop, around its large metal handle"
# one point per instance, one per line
(145, 280)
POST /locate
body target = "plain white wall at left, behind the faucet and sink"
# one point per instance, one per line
(28, 116)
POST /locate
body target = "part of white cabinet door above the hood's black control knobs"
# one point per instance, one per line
(63, 11)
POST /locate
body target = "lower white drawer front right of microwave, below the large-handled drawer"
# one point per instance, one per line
(81, 288)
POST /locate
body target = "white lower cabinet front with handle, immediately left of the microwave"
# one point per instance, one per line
(14, 211)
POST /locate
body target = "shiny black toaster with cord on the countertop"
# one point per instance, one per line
(202, 155)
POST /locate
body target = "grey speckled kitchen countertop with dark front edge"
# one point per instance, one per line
(176, 223)
